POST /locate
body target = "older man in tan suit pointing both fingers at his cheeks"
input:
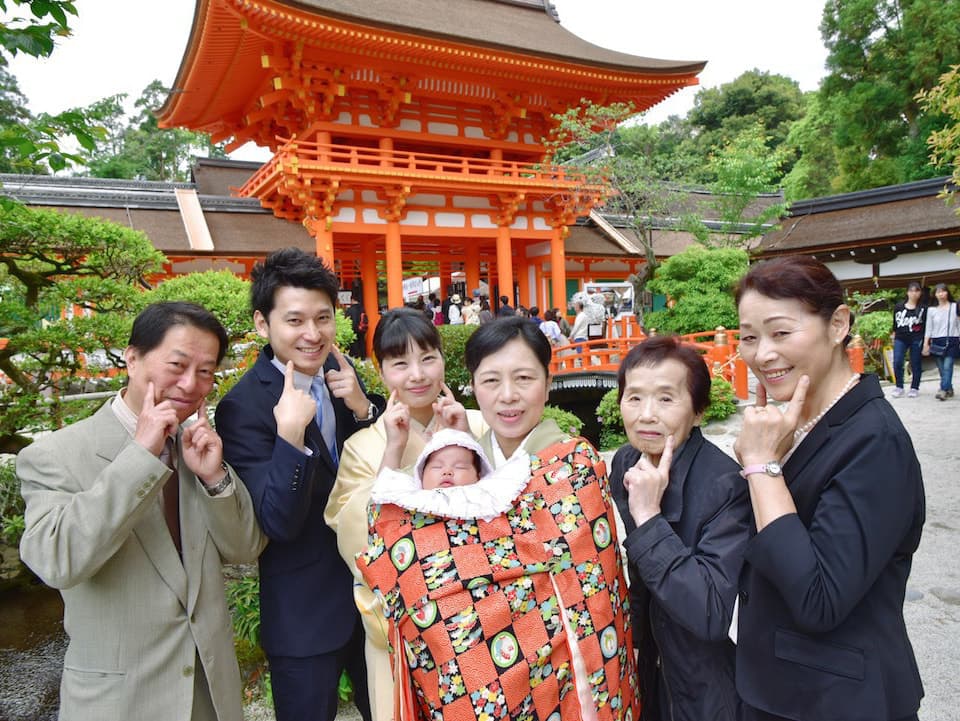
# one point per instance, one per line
(130, 513)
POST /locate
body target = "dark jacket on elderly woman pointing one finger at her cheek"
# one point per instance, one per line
(683, 566)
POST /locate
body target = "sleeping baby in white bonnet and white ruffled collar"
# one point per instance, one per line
(452, 477)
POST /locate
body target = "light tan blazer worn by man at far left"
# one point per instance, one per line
(138, 618)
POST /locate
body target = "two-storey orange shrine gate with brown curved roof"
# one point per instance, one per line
(410, 134)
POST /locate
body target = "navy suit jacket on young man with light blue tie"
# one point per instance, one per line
(306, 590)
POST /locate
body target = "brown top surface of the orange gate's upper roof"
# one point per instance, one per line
(526, 26)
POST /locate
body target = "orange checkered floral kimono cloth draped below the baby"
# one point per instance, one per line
(474, 606)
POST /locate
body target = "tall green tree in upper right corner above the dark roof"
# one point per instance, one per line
(881, 55)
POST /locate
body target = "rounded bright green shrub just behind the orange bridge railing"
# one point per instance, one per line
(699, 281)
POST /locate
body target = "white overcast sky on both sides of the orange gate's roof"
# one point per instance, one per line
(120, 46)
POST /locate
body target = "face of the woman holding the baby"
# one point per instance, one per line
(511, 387)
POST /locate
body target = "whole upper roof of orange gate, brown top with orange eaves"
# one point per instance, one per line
(508, 44)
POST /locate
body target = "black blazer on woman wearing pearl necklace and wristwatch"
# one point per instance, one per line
(821, 634)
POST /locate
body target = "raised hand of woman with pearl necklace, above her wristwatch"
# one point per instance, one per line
(767, 432)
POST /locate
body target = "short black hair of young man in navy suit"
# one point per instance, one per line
(289, 267)
